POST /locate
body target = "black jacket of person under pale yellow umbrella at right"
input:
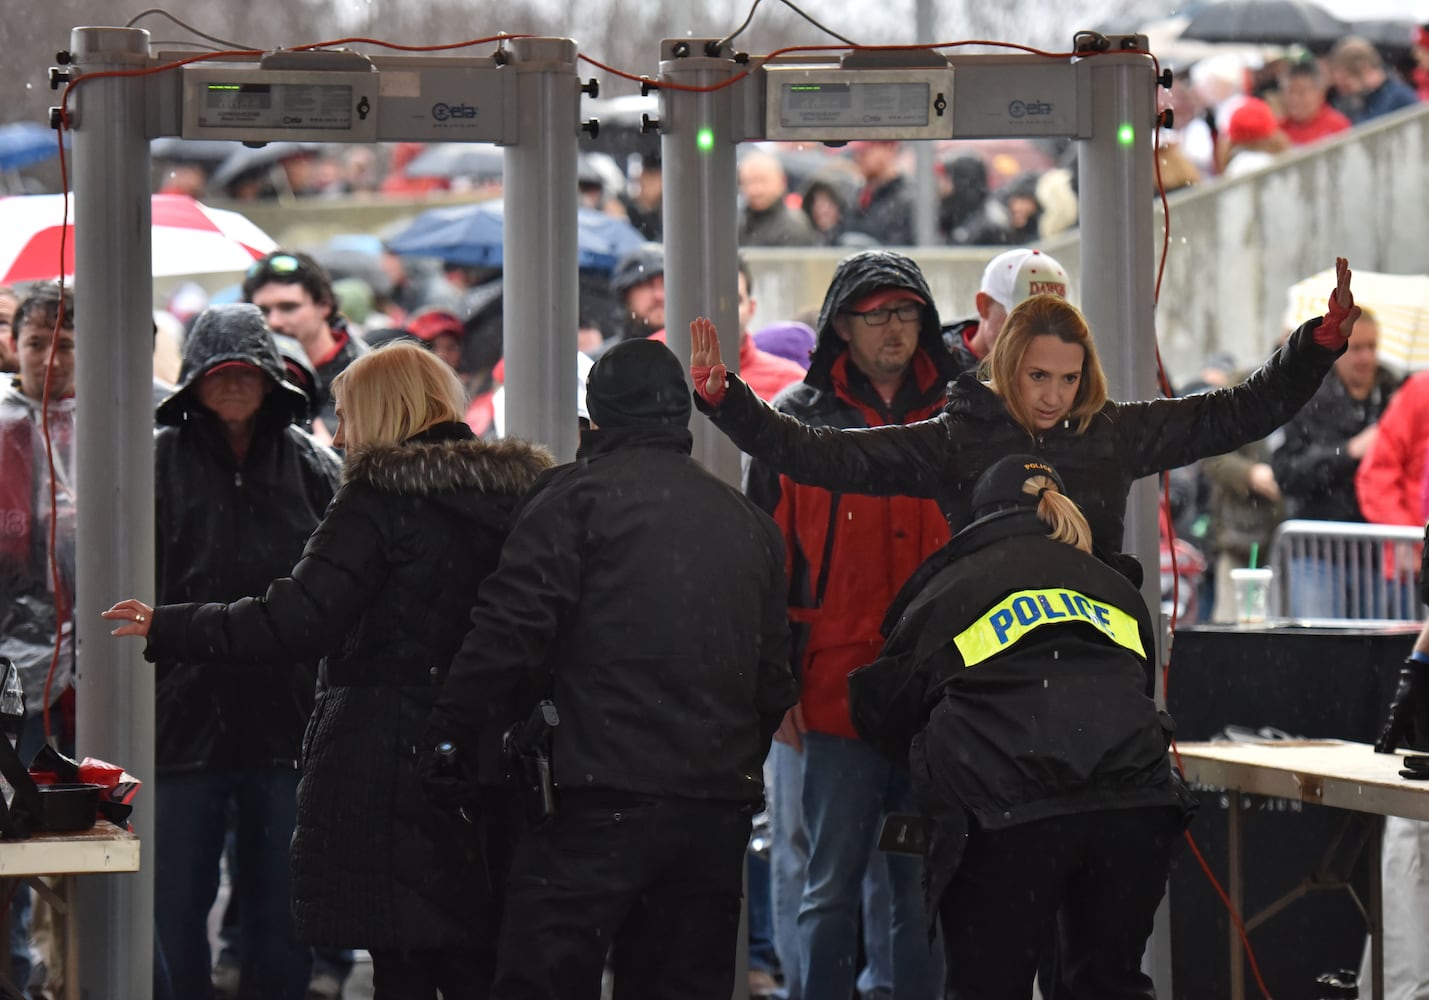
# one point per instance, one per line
(1317, 475)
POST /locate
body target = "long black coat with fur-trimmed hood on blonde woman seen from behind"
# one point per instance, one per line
(384, 589)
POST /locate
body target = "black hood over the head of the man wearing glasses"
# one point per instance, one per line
(855, 278)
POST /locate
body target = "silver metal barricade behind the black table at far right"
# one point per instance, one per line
(1337, 572)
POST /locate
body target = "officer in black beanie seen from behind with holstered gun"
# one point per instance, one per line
(651, 598)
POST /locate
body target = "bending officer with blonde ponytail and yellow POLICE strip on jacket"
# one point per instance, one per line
(1017, 684)
